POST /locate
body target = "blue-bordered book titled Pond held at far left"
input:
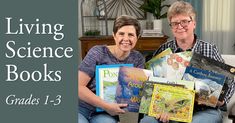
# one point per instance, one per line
(107, 81)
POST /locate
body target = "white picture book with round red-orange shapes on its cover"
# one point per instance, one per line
(171, 66)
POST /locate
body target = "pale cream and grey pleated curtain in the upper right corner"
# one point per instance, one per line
(218, 24)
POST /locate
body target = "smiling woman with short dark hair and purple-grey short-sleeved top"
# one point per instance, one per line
(126, 31)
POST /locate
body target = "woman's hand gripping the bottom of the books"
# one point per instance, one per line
(115, 109)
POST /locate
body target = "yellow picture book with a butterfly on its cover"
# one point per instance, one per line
(178, 102)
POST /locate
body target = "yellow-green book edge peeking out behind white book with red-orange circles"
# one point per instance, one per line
(160, 55)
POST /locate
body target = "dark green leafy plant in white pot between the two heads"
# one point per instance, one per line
(155, 7)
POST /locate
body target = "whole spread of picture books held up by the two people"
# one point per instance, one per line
(171, 83)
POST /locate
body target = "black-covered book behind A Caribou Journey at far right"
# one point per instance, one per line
(202, 62)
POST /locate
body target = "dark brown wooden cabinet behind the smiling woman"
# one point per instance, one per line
(143, 44)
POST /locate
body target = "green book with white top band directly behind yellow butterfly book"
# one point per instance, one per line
(146, 94)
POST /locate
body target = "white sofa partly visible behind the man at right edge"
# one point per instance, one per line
(229, 59)
